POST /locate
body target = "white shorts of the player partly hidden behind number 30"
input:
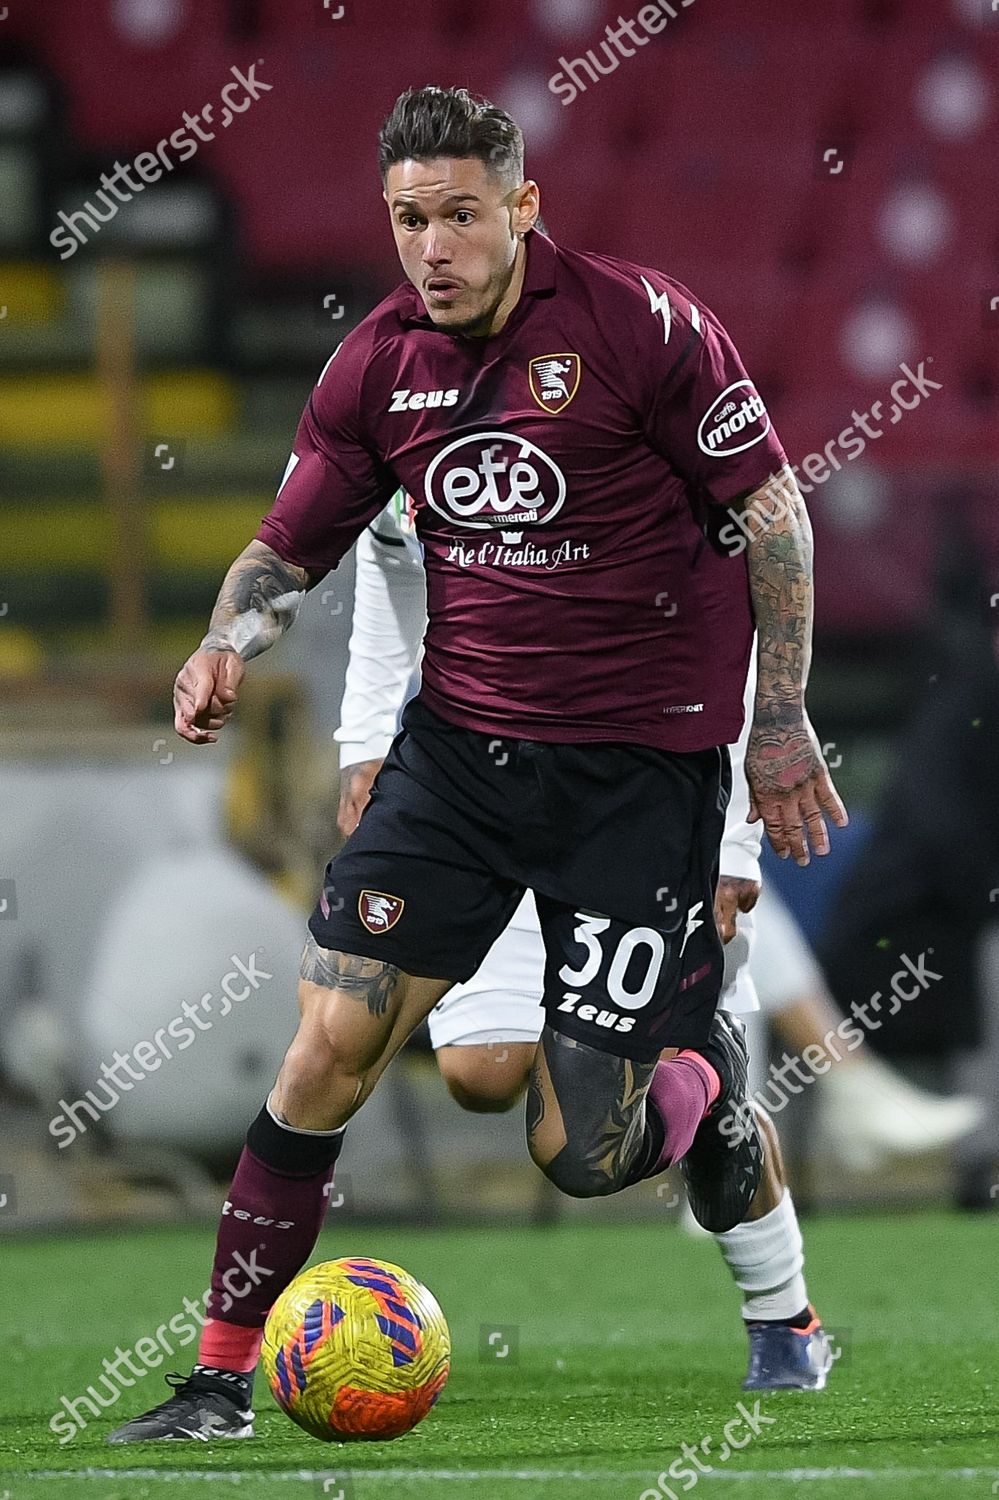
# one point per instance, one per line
(503, 1000)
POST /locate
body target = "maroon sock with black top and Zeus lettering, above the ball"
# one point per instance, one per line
(271, 1220)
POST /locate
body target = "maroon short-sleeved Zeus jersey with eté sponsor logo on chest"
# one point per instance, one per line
(563, 475)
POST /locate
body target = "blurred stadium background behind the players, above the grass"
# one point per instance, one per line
(826, 182)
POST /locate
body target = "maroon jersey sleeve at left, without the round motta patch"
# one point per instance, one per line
(334, 484)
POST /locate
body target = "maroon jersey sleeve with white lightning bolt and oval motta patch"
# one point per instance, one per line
(704, 413)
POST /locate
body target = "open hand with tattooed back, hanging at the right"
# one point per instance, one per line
(791, 790)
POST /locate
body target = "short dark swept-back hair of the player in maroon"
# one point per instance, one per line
(451, 122)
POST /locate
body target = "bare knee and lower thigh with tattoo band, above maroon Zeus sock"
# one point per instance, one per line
(356, 1013)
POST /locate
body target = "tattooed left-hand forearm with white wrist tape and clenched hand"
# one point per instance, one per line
(259, 601)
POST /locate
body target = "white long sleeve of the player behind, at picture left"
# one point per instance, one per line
(386, 641)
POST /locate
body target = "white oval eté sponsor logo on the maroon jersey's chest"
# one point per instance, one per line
(494, 479)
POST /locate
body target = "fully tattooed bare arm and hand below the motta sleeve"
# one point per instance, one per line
(790, 784)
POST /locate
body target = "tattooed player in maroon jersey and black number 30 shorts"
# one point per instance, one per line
(574, 428)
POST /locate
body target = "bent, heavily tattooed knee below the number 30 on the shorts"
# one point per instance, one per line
(586, 1117)
